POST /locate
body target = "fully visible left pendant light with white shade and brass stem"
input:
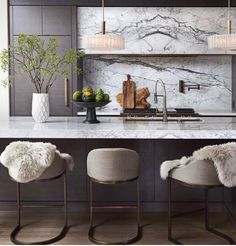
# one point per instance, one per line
(105, 41)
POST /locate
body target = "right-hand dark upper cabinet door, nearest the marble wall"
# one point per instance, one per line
(57, 20)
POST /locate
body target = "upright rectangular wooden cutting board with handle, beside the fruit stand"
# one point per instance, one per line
(128, 93)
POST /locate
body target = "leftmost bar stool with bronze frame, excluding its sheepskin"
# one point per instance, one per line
(55, 171)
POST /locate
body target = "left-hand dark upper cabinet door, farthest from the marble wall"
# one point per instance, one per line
(27, 19)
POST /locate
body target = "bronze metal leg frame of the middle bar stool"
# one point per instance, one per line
(93, 227)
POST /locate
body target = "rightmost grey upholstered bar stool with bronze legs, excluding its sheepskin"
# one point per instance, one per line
(197, 174)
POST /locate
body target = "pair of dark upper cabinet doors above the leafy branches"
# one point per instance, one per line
(42, 20)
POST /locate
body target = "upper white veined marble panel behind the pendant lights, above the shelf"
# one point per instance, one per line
(157, 30)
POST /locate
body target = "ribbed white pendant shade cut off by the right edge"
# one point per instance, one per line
(223, 42)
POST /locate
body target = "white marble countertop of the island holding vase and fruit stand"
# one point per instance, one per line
(117, 128)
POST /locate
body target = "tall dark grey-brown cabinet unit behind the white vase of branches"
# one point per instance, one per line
(46, 21)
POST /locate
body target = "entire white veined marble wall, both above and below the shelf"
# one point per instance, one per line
(168, 31)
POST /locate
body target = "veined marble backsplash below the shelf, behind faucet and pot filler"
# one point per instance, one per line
(213, 73)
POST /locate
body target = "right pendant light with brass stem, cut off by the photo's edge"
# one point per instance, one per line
(224, 41)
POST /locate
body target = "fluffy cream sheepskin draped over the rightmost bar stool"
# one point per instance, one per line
(223, 156)
